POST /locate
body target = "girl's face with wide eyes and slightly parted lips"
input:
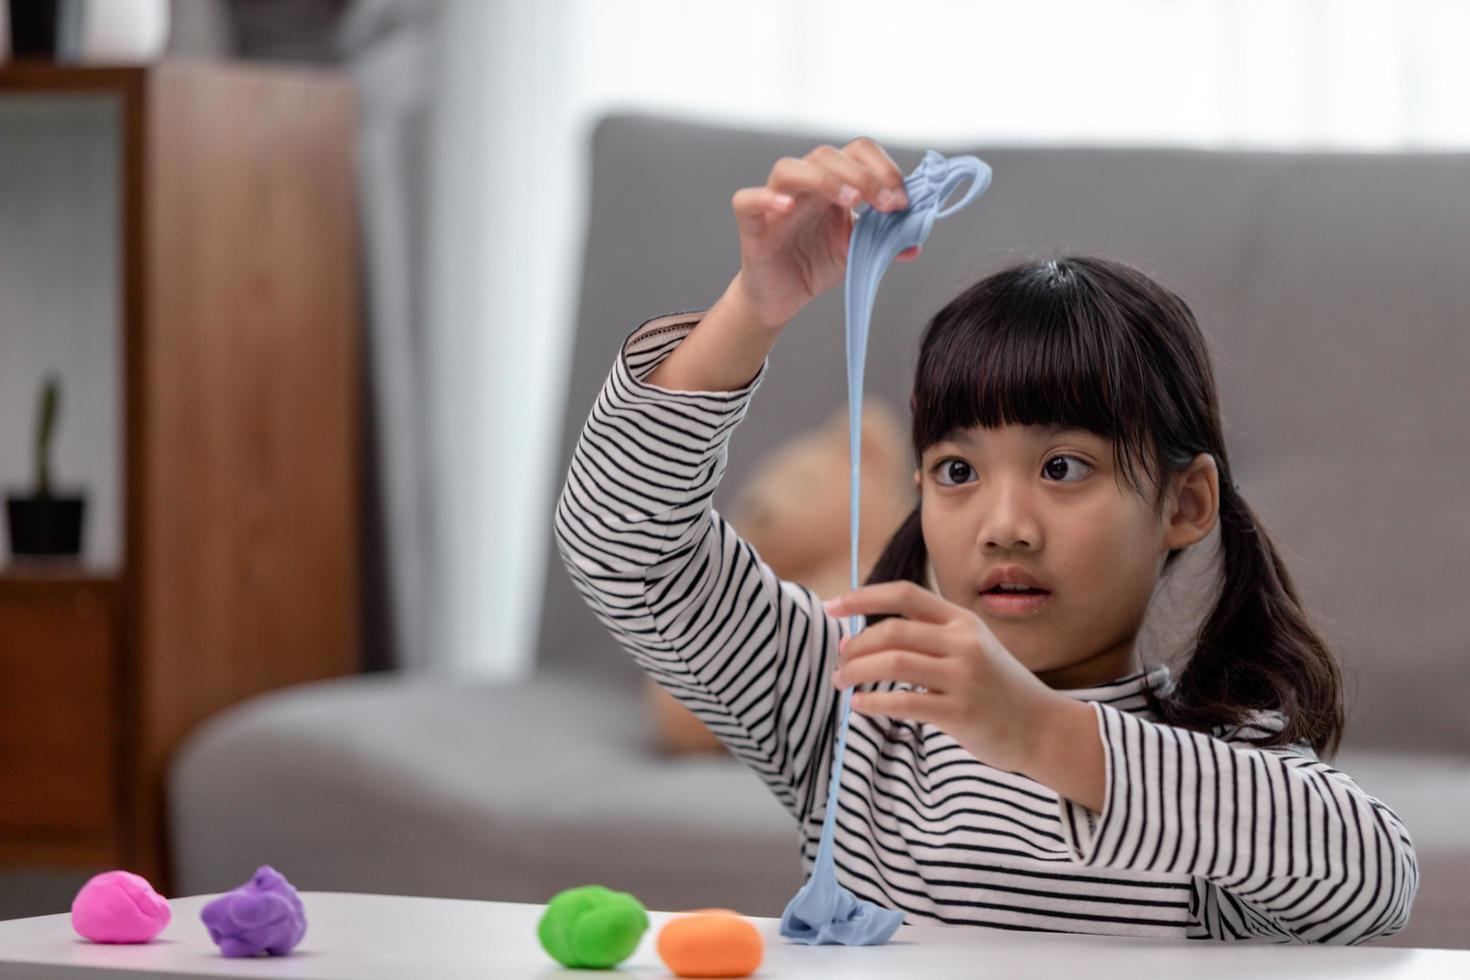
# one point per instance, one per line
(1055, 503)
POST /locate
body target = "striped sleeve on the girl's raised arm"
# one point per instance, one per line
(692, 602)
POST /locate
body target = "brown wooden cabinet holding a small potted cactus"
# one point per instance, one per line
(233, 566)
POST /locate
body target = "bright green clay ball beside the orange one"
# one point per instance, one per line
(592, 928)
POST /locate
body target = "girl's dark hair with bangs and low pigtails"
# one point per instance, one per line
(1096, 345)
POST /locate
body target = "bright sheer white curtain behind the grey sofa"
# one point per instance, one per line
(526, 83)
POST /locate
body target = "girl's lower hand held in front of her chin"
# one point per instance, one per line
(974, 688)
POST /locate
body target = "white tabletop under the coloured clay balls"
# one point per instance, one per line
(381, 937)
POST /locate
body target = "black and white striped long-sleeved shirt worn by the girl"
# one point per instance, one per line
(1202, 835)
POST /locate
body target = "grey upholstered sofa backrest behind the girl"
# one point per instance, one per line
(1334, 290)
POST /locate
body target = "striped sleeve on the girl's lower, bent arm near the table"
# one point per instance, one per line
(1283, 846)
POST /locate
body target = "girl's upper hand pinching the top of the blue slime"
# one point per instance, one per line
(795, 231)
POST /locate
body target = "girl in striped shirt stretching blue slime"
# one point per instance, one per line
(1011, 762)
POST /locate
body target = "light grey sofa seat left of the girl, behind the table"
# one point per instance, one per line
(511, 793)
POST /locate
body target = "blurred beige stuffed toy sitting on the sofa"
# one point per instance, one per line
(795, 514)
